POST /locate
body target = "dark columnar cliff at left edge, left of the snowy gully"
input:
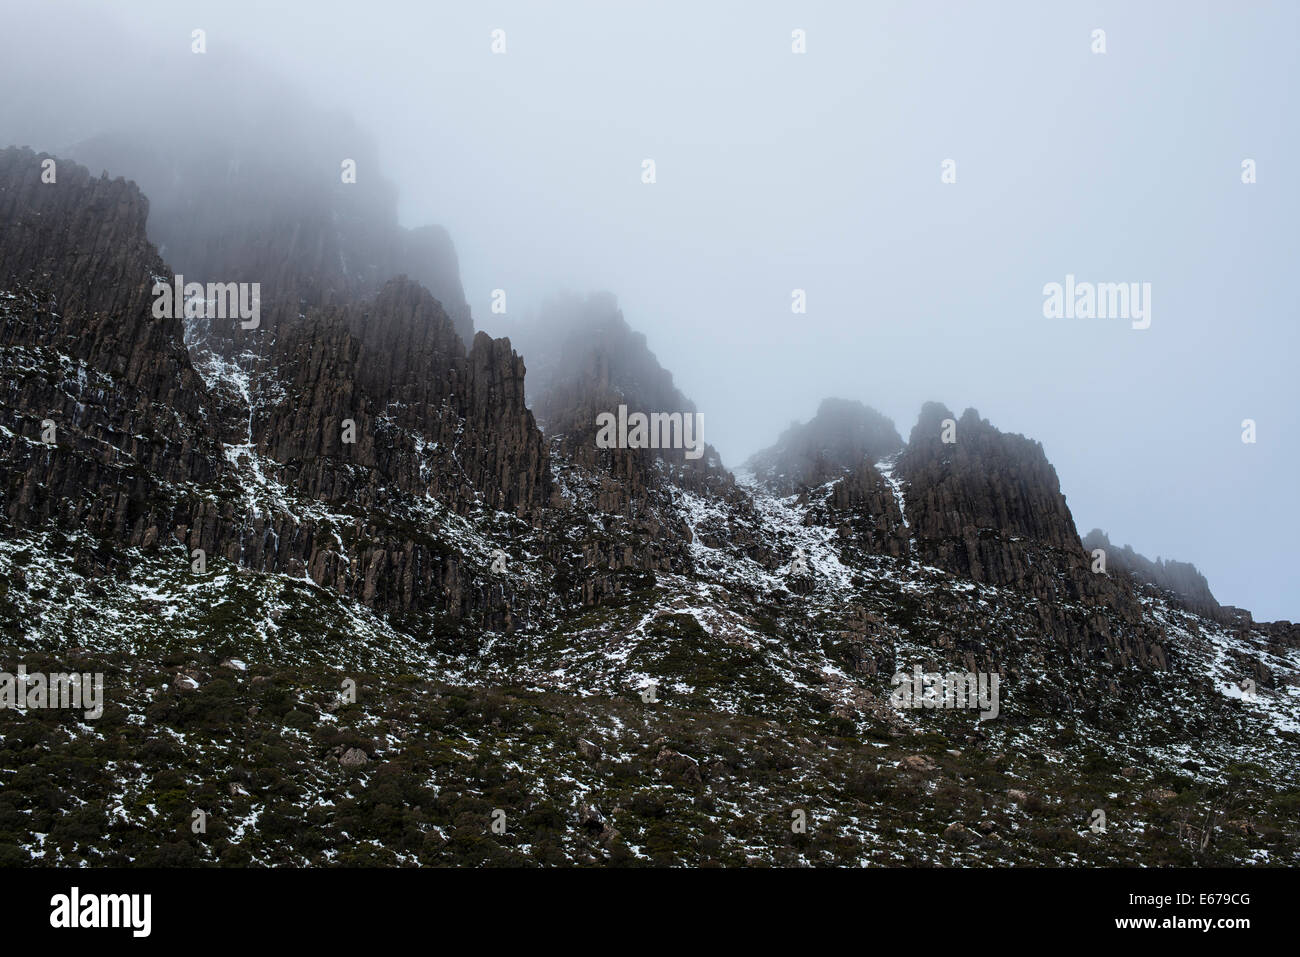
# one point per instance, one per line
(86, 365)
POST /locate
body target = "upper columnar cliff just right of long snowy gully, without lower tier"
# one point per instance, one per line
(428, 418)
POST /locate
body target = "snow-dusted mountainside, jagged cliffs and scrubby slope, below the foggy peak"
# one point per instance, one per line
(431, 600)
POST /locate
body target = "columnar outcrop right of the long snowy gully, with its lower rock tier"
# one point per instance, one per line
(376, 412)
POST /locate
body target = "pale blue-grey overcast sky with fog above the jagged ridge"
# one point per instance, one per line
(822, 172)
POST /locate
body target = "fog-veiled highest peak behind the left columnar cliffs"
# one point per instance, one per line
(239, 209)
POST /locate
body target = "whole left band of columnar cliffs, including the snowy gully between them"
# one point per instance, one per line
(350, 436)
